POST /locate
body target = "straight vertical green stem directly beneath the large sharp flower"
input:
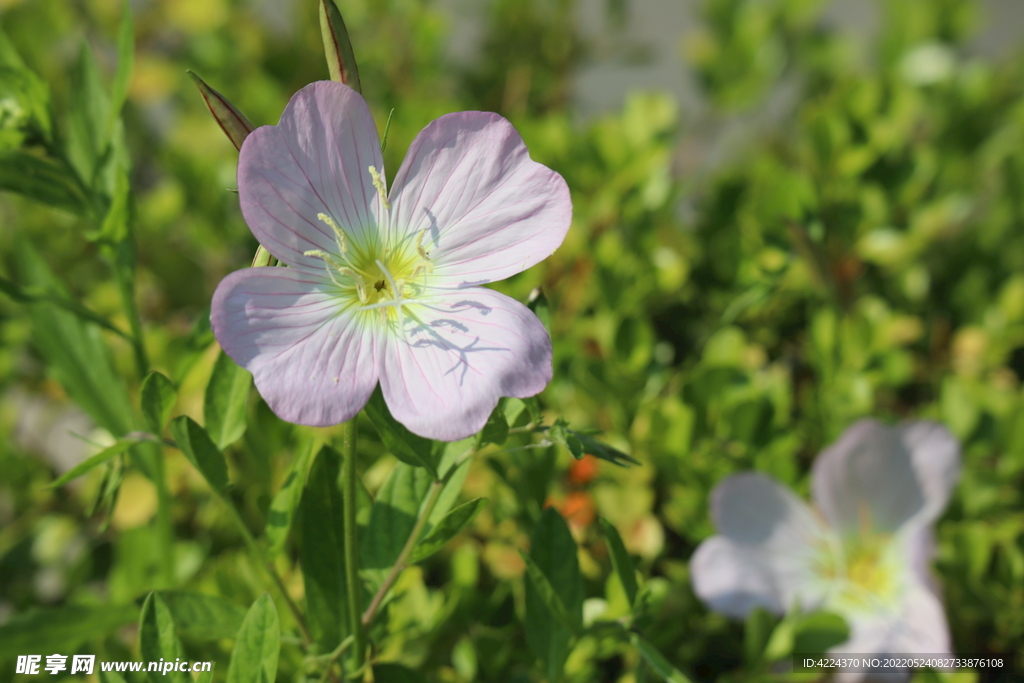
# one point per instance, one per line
(350, 510)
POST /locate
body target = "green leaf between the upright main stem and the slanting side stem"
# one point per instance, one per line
(393, 518)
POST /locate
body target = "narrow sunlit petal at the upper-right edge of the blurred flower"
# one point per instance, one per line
(936, 460)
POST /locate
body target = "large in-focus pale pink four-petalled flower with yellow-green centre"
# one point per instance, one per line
(386, 287)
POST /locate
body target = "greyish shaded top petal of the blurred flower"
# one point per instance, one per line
(867, 481)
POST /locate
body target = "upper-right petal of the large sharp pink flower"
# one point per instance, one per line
(488, 209)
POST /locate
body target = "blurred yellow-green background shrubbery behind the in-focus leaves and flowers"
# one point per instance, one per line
(859, 252)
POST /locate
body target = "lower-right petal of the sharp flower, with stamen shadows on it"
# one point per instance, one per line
(459, 355)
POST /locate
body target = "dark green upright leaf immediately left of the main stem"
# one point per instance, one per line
(322, 536)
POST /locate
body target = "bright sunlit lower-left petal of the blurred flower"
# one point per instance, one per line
(733, 579)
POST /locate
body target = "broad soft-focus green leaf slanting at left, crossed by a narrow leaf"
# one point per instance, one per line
(75, 351)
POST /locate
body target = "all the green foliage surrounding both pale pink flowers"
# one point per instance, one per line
(720, 305)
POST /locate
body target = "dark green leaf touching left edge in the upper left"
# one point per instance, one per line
(42, 180)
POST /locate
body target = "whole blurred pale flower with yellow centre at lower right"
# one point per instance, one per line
(864, 553)
